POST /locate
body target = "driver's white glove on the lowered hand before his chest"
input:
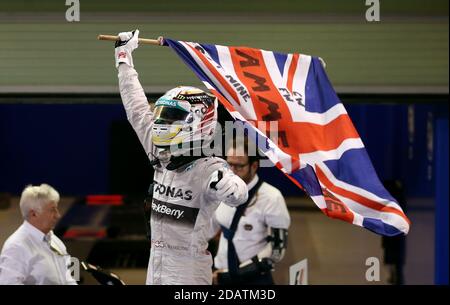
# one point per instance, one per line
(228, 188)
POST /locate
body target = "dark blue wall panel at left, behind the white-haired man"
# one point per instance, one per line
(66, 146)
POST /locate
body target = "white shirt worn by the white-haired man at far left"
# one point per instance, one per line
(28, 259)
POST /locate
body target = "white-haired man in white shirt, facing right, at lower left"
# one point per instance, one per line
(33, 255)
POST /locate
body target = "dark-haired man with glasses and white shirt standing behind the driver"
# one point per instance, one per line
(254, 235)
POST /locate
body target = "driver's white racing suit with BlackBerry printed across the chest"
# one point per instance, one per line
(183, 203)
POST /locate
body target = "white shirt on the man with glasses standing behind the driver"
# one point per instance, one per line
(267, 209)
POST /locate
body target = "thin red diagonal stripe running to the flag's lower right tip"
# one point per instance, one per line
(371, 204)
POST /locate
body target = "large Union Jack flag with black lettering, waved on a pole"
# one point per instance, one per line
(318, 147)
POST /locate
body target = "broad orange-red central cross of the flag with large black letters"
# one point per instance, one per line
(293, 137)
